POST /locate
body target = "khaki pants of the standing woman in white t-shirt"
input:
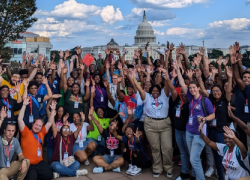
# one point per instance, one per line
(159, 135)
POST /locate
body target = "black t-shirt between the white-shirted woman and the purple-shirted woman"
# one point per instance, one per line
(180, 122)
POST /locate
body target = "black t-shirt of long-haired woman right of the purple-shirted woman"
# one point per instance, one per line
(221, 116)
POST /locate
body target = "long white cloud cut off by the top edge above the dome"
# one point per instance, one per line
(163, 4)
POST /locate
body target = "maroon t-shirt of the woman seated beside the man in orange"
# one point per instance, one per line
(70, 142)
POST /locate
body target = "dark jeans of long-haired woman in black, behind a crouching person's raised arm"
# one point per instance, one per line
(219, 138)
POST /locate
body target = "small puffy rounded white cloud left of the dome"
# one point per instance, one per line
(110, 15)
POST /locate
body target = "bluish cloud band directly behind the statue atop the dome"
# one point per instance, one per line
(152, 15)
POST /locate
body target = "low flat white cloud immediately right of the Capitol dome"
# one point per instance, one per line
(186, 32)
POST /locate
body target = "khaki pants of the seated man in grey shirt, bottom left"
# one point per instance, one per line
(6, 173)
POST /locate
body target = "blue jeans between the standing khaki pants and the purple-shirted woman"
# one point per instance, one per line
(180, 137)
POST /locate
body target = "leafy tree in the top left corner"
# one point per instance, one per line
(16, 16)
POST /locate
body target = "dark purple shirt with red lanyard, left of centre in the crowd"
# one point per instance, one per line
(98, 94)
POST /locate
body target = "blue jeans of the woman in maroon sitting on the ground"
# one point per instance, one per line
(63, 170)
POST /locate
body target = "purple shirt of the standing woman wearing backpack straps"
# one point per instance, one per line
(198, 111)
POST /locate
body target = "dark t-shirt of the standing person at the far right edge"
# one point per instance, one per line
(241, 98)
